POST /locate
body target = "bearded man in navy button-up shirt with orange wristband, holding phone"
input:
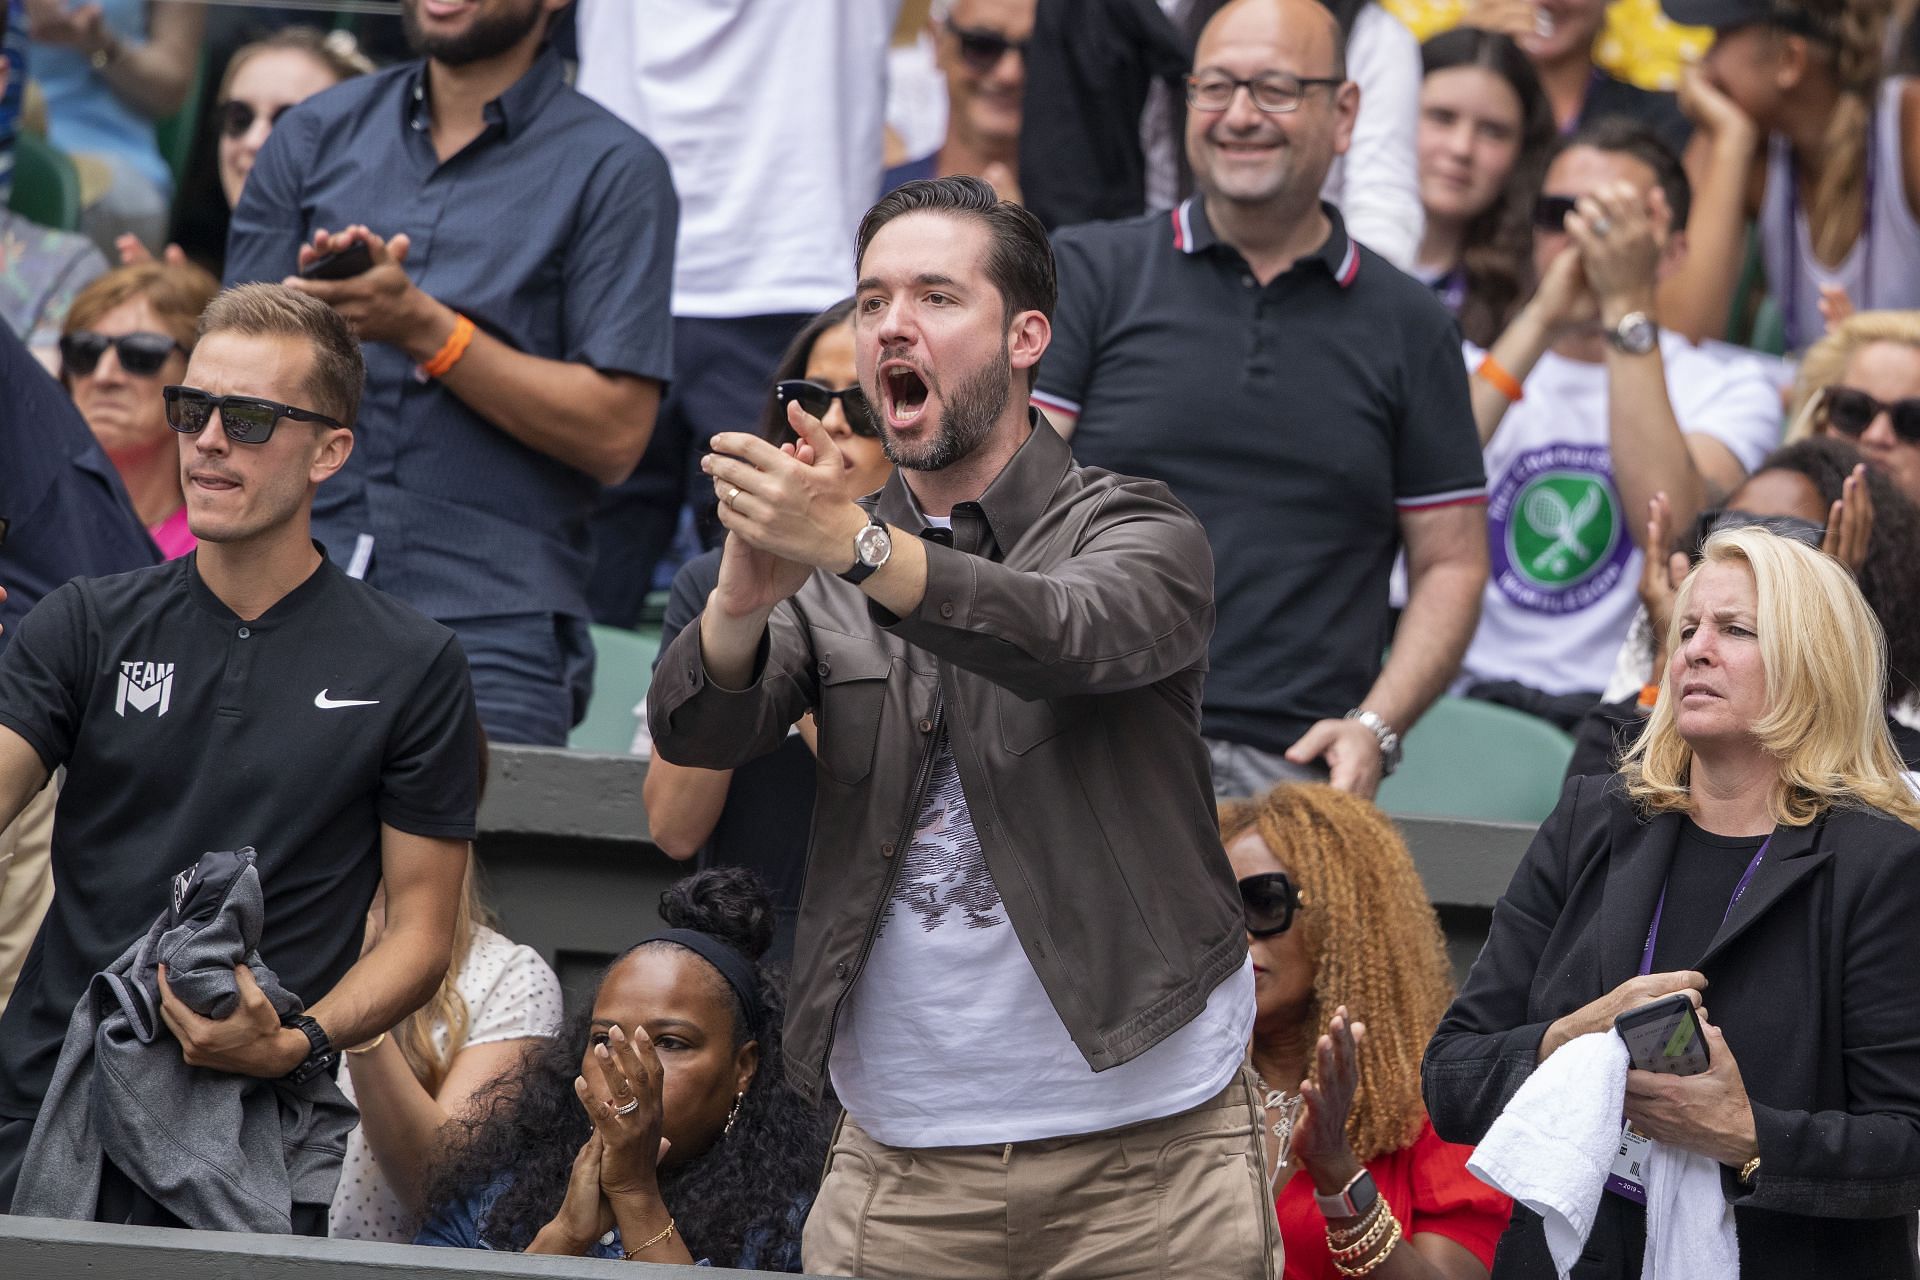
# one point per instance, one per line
(487, 191)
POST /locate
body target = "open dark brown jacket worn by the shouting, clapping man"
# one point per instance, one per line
(1063, 644)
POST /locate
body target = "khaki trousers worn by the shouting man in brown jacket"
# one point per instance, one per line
(1182, 1197)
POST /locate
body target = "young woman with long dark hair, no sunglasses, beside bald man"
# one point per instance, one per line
(1483, 137)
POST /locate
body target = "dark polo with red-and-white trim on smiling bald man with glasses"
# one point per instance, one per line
(1299, 421)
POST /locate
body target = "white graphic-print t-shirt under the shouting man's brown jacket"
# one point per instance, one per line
(949, 1037)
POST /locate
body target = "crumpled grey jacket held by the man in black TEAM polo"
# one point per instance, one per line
(224, 1152)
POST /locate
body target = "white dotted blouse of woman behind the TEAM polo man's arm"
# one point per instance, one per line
(512, 995)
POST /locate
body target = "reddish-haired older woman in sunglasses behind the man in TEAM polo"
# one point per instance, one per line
(128, 337)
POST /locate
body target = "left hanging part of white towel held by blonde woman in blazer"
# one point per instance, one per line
(1556, 1141)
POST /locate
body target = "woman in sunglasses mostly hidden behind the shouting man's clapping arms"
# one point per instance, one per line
(763, 822)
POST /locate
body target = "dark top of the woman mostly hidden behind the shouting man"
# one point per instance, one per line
(771, 805)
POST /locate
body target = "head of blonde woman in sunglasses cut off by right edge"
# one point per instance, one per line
(1863, 383)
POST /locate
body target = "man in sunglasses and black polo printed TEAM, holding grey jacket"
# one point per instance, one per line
(249, 694)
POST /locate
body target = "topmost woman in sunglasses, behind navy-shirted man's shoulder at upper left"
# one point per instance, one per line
(262, 82)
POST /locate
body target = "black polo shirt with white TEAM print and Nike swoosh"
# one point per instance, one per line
(187, 730)
